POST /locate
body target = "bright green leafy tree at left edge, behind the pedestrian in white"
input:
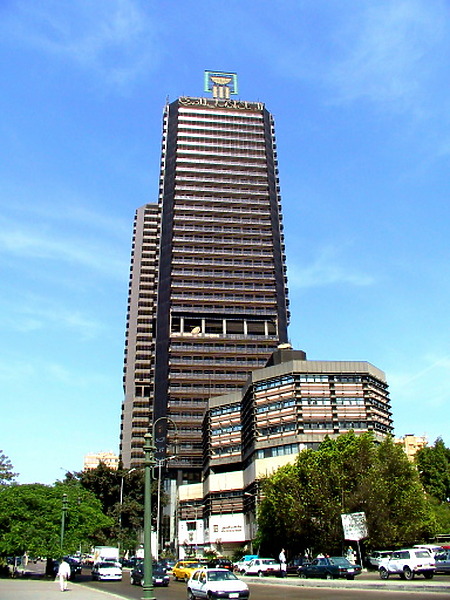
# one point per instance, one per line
(31, 515)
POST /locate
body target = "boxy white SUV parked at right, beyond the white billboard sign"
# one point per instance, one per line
(407, 563)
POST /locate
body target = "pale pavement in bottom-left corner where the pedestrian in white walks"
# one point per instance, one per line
(43, 589)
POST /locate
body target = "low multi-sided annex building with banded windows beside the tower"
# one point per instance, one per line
(289, 405)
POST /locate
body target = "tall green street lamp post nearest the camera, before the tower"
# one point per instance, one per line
(149, 461)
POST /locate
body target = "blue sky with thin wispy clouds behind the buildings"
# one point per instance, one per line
(360, 95)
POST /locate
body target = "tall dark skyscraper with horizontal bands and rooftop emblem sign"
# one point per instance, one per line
(207, 296)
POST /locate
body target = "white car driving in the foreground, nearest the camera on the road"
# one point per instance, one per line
(216, 583)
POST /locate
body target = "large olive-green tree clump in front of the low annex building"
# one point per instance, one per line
(302, 503)
